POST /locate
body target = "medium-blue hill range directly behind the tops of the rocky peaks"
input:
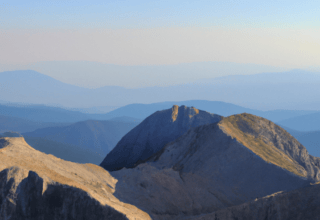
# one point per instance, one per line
(25, 118)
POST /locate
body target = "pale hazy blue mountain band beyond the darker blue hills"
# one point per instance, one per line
(288, 90)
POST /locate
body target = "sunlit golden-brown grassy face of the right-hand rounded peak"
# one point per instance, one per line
(270, 142)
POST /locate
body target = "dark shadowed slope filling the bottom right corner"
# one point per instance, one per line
(300, 204)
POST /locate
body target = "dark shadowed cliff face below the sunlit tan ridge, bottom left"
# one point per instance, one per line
(25, 200)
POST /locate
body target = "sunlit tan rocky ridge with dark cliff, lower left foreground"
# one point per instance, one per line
(37, 186)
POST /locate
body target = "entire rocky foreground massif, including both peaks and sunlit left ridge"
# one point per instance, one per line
(233, 168)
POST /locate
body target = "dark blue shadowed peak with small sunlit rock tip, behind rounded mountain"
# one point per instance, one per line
(153, 133)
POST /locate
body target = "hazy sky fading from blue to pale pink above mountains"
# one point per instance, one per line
(279, 34)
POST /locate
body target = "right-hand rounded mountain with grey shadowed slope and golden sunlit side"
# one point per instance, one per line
(218, 165)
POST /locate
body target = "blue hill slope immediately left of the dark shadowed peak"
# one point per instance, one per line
(99, 137)
